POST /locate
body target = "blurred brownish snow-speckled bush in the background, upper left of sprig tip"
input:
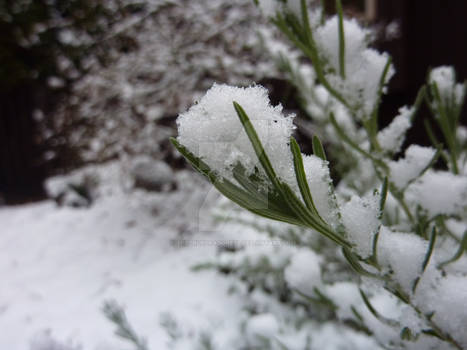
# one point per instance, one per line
(173, 51)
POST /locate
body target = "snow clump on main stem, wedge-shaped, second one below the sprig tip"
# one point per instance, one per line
(360, 217)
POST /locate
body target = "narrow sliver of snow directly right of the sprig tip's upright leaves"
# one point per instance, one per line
(320, 184)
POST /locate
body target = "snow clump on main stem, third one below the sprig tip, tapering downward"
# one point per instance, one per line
(402, 254)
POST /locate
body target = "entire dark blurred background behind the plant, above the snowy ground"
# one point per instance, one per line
(85, 81)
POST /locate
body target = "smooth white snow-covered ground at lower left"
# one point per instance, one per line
(58, 265)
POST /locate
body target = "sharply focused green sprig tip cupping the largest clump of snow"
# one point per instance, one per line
(252, 159)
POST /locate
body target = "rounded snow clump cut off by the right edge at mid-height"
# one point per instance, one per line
(439, 192)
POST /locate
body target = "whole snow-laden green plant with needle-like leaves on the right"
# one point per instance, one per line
(399, 223)
